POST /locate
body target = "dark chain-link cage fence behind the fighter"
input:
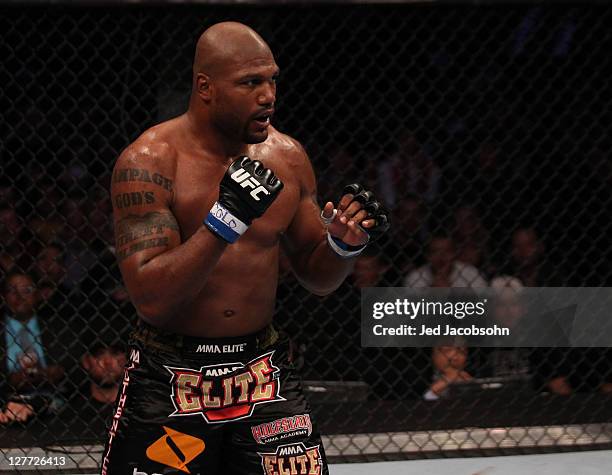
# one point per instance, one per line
(485, 130)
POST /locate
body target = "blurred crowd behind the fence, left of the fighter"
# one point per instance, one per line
(65, 314)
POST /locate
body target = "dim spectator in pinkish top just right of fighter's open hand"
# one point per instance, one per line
(410, 170)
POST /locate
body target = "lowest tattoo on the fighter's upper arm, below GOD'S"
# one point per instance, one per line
(134, 227)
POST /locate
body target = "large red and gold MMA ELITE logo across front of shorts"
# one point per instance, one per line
(228, 392)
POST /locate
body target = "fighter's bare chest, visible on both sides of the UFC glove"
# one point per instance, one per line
(197, 188)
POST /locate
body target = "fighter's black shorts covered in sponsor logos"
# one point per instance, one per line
(211, 407)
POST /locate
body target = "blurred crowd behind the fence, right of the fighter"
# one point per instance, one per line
(453, 225)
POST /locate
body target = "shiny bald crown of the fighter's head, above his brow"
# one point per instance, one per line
(226, 44)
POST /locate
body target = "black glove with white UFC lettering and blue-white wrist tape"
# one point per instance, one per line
(246, 191)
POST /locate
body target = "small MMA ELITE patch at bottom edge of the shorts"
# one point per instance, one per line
(292, 459)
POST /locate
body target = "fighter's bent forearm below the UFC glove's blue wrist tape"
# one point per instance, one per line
(174, 278)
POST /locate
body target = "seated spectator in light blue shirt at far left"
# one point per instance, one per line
(26, 343)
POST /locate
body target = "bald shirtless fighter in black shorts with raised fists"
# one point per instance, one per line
(210, 387)
